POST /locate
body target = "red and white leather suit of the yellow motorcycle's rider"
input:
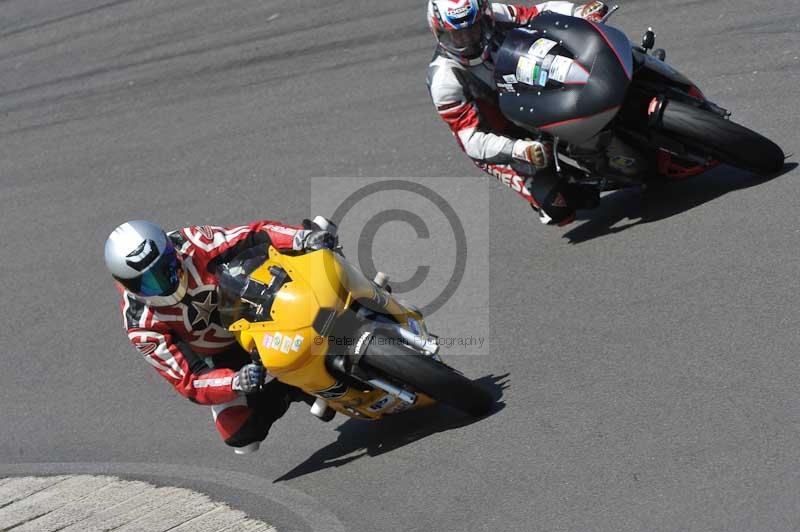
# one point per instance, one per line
(181, 335)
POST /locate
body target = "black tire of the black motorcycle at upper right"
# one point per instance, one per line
(728, 141)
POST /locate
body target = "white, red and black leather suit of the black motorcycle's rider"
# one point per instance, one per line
(466, 98)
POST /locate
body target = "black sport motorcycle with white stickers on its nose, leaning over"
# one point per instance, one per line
(618, 114)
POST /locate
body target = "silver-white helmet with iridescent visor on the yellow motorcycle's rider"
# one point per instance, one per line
(141, 258)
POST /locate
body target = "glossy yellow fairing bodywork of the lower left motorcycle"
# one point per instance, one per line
(293, 346)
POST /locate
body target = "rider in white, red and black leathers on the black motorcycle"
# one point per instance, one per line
(462, 87)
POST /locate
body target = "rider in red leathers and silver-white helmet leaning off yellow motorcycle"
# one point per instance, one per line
(169, 300)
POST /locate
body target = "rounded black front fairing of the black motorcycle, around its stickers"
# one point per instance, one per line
(587, 107)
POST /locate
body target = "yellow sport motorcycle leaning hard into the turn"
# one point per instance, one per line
(316, 322)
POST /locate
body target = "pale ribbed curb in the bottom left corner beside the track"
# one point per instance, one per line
(89, 503)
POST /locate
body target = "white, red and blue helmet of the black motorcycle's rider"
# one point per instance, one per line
(461, 27)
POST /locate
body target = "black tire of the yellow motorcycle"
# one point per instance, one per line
(427, 375)
